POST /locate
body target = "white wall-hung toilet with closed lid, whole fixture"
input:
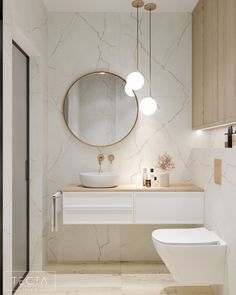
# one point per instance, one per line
(193, 256)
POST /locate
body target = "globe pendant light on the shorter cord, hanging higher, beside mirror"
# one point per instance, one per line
(135, 80)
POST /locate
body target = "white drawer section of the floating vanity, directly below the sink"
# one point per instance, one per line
(97, 208)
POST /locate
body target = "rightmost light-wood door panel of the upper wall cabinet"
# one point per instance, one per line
(227, 60)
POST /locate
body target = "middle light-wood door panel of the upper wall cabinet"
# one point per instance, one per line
(210, 61)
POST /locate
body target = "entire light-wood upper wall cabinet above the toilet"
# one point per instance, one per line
(214, 63)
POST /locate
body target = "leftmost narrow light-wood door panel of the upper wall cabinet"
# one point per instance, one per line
(197, 73)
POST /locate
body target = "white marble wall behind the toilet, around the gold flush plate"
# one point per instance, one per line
(220, 202)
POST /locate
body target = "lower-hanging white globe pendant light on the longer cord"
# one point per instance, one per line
(148, 105)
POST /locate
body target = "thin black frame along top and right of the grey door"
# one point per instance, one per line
(28, 160)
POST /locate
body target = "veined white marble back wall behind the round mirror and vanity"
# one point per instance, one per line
(79, 43)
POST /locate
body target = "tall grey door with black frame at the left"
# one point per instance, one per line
(20, 153)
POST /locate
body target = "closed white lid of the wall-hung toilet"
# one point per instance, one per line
(188, 236)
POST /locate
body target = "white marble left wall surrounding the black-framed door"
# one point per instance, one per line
(26, 23)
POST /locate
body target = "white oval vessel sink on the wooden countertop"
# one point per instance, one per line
(99, 179)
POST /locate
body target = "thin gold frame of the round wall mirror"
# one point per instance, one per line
(63, 107)
